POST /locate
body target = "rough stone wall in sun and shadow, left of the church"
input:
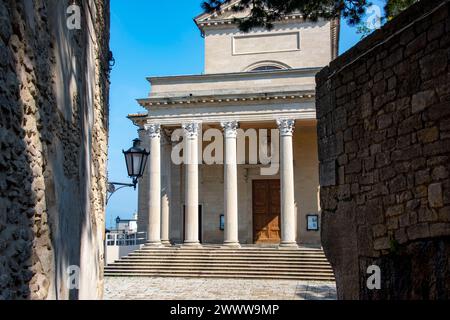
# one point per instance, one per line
(53, 147)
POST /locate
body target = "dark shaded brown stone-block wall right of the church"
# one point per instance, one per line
(384, 147)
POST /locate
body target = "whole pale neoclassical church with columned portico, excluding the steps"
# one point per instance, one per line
(255, 101)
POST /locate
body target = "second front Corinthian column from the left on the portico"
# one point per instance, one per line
(191, 183)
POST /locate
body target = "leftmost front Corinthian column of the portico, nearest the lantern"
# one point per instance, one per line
(154, 170)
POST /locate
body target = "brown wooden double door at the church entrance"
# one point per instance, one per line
(266, 212)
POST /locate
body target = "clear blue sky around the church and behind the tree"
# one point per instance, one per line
(150, 38)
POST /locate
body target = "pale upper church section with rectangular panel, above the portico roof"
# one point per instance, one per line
(294, 42)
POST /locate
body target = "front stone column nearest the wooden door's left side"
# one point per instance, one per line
(231, 193)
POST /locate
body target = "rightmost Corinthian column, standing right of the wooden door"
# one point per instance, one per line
(288, 223)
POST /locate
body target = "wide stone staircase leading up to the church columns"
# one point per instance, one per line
(217, 262)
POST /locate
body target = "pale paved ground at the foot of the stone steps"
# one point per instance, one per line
(215, 289)
